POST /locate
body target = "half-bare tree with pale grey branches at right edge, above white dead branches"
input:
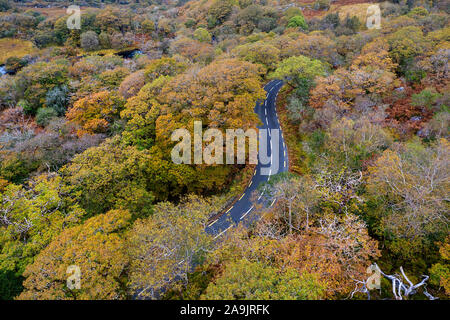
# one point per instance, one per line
(410, 184)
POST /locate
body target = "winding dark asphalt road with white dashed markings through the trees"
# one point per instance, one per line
(241, 209)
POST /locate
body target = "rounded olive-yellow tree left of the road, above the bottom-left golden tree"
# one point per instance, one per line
(112, 176)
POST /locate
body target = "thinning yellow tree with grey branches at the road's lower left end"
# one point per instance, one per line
(164, 246)
